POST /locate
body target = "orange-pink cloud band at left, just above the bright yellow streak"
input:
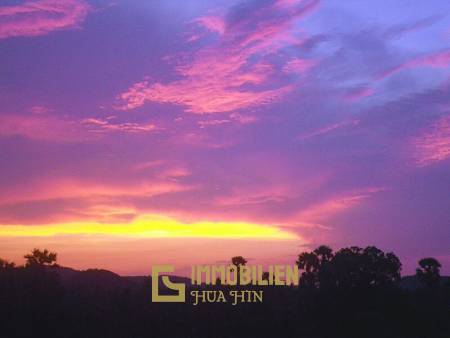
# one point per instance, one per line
(80, 200)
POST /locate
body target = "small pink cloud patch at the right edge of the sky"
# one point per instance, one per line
(434, 145)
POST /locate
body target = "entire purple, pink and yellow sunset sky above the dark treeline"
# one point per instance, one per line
(186, 132)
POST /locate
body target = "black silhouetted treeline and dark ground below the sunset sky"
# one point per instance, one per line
(353, 292)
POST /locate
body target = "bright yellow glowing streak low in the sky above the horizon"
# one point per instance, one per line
(151, 227)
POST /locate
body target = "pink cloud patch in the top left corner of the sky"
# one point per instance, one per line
(40, 17)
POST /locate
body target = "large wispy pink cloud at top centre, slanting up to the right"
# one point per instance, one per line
(232, 74)
